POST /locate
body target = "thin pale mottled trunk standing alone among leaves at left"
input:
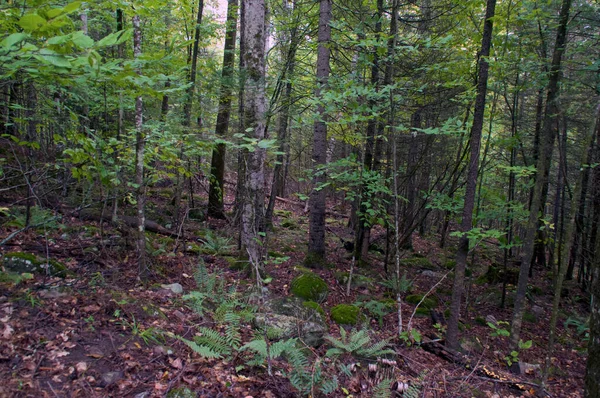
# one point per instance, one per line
(139, 159)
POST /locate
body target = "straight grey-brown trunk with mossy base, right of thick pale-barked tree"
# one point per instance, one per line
(316, 239)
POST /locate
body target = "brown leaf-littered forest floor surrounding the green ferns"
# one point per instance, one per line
(100, 332)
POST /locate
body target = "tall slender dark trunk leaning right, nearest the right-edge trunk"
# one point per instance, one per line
(543, 164)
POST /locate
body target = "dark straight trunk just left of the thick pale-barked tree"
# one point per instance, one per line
(217, 166)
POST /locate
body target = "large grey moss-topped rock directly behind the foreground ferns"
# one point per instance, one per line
(287, 318)
